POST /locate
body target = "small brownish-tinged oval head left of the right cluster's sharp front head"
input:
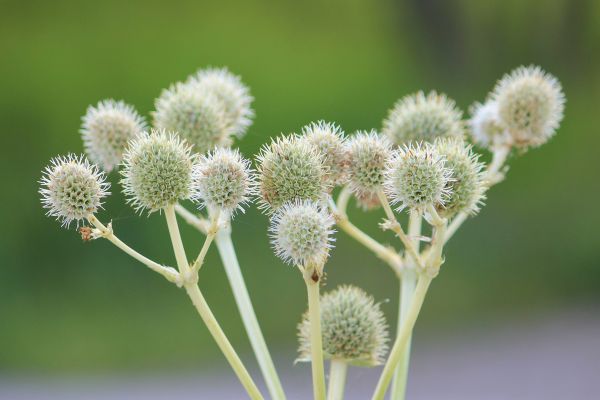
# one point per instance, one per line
(369, 153)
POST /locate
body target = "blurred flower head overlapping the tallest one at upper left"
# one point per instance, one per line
(198, 117)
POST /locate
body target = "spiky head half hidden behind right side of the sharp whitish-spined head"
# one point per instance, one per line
(466, 185)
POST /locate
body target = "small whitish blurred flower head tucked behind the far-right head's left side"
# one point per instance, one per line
(486, 128)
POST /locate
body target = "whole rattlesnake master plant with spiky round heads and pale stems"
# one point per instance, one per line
(421, 163)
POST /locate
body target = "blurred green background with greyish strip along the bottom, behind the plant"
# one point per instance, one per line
(72, 313)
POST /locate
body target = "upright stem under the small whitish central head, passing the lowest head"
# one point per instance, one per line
(312, 279)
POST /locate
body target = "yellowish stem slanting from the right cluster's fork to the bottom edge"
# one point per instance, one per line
(403, 337)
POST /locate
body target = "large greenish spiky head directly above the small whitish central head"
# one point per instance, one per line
(289, 168)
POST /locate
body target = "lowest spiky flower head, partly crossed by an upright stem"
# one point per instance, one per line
(353, 328)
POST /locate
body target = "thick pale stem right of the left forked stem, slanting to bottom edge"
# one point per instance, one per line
(244, 304)
